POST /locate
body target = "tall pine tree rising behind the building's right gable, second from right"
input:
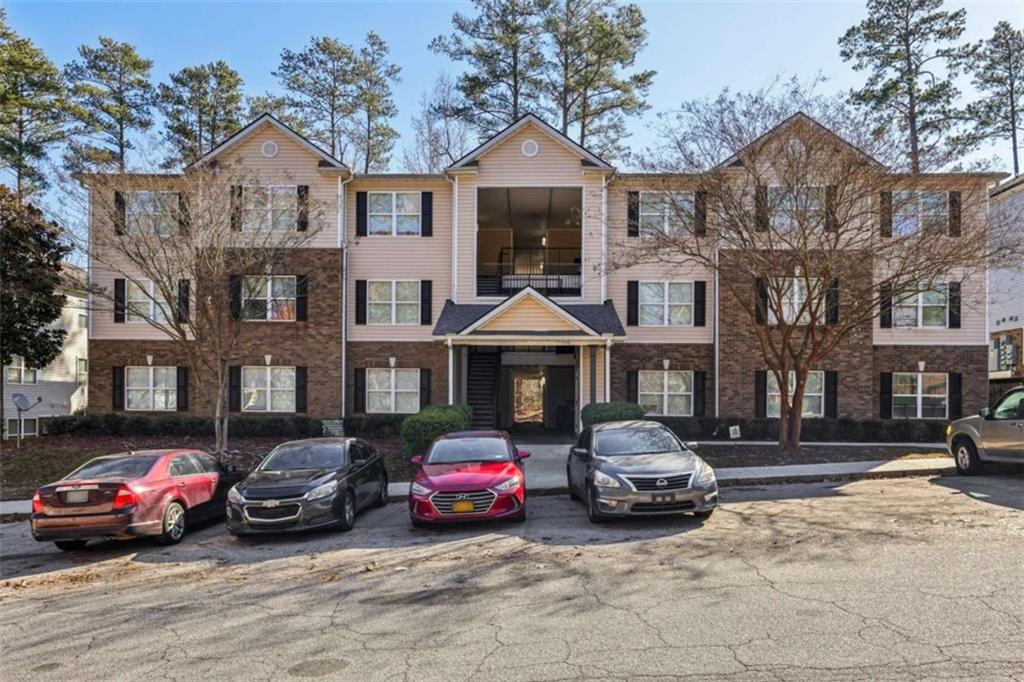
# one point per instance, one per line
(910, 50)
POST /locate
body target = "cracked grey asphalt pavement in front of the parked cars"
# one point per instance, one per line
(898, 580)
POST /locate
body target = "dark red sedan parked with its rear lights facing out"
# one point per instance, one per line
(156, 493)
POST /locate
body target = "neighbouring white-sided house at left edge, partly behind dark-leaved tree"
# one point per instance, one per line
(62, 386)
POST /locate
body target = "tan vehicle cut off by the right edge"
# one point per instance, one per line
(995, 435)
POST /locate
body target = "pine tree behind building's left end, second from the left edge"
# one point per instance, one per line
(111, 87)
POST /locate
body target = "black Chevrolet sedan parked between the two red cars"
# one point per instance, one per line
(306, 485)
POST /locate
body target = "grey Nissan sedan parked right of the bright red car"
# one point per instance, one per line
(638, 468)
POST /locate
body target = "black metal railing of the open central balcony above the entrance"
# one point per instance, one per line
(552, 272)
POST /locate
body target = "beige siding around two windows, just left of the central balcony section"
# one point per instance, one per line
(405, 258)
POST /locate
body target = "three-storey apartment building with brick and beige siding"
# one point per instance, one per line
(490, 285)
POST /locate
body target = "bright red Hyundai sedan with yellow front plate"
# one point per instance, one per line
(470, 476)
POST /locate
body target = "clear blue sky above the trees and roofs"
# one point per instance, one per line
(697, 48)
